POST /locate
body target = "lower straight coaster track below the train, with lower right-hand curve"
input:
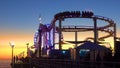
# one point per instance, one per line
(83, 29)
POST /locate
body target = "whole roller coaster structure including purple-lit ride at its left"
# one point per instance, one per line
(45, 37)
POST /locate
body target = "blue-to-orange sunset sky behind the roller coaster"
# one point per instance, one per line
(19, 19)
